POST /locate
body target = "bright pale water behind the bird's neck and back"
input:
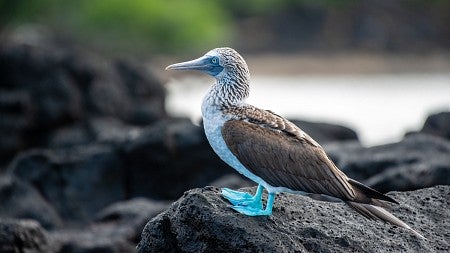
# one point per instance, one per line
(380, 107)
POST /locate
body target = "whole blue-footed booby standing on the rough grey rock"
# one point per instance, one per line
(269, 149)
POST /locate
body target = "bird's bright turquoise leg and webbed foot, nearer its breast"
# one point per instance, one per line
(238, 198)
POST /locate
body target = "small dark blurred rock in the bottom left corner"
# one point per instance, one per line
(22, 236)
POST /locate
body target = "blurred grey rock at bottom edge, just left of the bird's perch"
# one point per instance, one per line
(117, 228)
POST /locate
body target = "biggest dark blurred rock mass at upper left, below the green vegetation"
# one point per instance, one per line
(46, 85)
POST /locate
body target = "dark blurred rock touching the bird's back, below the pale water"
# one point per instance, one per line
(325, 132)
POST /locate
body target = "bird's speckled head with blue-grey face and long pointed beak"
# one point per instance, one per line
(220, 63)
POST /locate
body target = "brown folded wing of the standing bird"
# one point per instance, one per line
(285, 160)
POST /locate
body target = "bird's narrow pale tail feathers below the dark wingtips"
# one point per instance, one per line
(379, 213)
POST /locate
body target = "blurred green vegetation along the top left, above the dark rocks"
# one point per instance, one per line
(156, 25)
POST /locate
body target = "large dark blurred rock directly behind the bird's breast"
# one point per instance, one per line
(169, 158)
